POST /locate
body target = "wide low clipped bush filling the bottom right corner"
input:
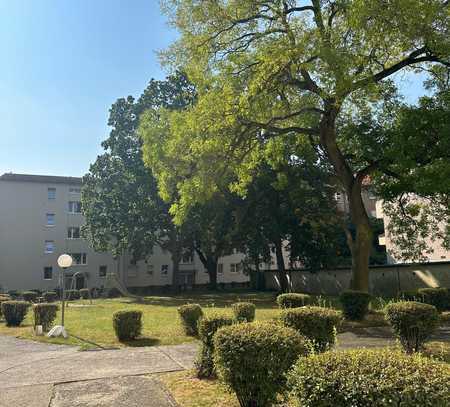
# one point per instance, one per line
(366, 377)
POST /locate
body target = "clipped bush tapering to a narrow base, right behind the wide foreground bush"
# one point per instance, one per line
(413, 322)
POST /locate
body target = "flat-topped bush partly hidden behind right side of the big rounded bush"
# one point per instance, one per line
(315, 323)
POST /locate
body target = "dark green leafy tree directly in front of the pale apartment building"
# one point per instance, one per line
(123, 210)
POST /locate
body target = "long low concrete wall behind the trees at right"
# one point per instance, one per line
(384, 280)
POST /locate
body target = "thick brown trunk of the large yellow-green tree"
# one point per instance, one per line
(360, 243)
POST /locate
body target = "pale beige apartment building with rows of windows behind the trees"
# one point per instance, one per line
(40, 218)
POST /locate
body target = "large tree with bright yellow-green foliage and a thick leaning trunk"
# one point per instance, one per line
(267, 70)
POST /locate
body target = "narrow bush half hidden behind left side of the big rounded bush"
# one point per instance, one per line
(207, 327)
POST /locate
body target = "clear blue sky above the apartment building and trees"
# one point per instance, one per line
(62, 64)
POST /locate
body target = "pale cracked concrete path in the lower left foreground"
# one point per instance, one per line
(40, 375)
